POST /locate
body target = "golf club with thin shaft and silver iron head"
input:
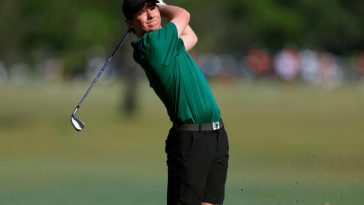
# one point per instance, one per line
(76, 123)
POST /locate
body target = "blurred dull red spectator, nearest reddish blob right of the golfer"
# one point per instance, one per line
(258, 61)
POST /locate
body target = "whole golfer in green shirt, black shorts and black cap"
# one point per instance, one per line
(197, 144)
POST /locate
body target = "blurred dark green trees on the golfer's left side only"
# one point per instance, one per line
(36, 29)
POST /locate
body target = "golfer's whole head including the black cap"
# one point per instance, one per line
(142, 15)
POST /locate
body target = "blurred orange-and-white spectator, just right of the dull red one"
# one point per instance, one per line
(287, 64)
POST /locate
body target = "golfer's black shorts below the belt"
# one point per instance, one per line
(197, 166)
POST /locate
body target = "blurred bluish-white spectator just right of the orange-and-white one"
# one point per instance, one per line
(309, 65)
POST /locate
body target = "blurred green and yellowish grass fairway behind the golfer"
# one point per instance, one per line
(289, 144)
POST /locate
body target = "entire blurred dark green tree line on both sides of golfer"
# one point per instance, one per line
(36, 29)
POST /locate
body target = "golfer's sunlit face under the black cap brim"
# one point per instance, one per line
(147, 19)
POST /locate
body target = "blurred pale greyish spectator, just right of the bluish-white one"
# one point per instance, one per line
(328, 70)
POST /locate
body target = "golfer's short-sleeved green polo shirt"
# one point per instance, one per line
(175, 77)
